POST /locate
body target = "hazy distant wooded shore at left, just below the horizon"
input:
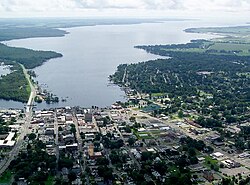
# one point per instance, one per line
(29, 28)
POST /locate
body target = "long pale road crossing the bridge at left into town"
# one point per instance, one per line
(25, 128)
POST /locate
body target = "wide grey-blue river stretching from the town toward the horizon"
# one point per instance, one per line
(92, 53)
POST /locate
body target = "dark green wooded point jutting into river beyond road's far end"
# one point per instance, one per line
(29, 58)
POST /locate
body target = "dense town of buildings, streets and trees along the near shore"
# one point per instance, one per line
(126, 143)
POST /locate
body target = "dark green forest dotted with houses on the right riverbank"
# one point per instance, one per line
(215, 86)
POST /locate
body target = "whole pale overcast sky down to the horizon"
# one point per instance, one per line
(124, 8)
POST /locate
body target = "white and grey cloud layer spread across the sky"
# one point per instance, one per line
(54, 7)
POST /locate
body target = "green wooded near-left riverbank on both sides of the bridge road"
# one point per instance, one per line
(14, 86)
